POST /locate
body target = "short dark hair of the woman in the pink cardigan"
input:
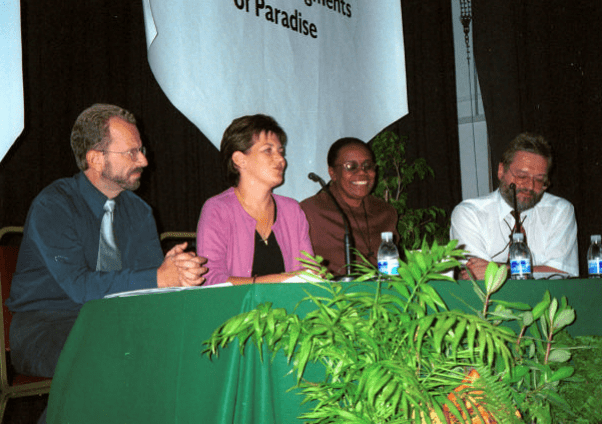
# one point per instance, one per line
(240, 136)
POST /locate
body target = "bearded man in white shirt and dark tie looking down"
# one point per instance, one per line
(483, 225)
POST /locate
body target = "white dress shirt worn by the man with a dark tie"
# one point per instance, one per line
(483, 226)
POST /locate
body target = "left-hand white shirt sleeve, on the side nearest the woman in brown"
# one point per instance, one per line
(465, 228)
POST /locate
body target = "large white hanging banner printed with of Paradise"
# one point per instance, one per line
(324, 69)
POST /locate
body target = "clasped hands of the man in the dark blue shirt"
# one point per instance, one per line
(181, 269)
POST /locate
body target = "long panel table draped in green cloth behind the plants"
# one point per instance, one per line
(138, 359)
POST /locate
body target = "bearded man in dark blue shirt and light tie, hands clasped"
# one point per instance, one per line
(86, 237)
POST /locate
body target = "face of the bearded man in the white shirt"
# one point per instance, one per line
(529, 172)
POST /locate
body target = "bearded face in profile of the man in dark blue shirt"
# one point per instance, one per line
(123, 170)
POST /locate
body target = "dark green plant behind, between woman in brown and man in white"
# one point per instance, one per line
(395, 175)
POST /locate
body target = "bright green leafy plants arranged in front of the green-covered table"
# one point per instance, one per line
(393, 352)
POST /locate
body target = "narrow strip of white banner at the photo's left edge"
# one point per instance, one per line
(11, 75)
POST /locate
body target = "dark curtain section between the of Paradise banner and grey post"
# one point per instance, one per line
(432, 123)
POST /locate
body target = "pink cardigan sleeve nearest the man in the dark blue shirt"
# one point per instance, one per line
(212, 243)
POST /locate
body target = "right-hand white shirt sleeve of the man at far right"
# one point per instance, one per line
(561, 250)
